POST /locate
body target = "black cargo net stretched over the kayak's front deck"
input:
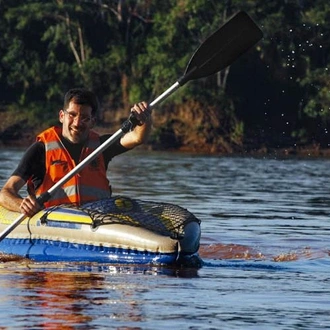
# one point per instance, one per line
(162, 218)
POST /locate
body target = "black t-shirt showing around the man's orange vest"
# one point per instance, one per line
(32, 164)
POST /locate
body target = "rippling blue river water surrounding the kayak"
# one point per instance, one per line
(265, 247)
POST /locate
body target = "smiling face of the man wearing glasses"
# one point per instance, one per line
(76, 122)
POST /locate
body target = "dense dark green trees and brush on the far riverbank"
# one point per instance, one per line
(276, 95)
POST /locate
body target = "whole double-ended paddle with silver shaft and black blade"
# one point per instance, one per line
(218, 51)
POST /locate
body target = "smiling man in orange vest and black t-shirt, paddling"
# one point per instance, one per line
(59, 149)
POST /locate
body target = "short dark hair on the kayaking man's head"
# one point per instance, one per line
(81, 96)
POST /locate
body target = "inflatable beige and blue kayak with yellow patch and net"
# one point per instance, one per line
(116, 230)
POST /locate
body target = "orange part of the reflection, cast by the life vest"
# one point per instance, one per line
(61, 298)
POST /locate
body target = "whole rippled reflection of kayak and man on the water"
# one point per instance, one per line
(66, 296)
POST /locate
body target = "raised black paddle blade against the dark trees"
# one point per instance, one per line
(223, 47)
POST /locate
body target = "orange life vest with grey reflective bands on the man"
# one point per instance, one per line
(89, 184)
